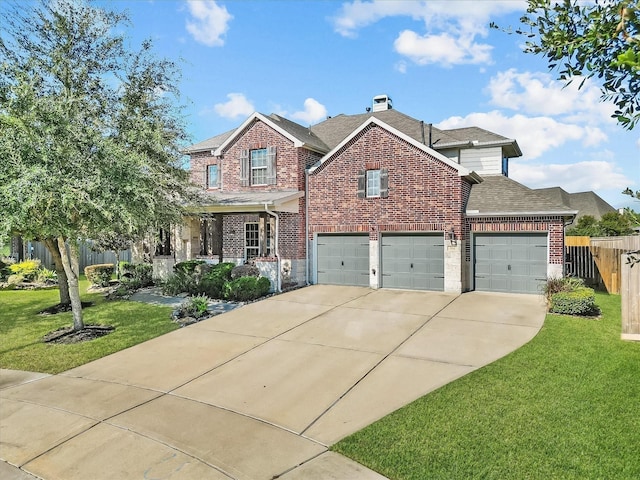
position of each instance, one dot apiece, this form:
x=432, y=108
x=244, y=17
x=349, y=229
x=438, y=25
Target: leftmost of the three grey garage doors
x=343, y=260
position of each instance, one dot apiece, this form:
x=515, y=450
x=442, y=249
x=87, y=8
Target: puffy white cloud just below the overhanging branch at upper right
x=538, y=93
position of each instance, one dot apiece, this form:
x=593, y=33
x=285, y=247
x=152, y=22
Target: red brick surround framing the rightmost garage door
x=552, y=224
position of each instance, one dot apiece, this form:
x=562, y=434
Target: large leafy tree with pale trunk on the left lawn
x=91, y=130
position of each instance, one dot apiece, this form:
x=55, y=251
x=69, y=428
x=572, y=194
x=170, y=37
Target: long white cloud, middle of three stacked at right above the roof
x=535, y=135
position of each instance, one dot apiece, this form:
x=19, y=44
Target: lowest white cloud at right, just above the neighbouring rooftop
x=574, y=177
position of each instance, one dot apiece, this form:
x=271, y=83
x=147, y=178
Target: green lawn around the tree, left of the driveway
x=21, y=329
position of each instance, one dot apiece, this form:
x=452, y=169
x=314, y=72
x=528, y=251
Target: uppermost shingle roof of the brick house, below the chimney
x=325, y=136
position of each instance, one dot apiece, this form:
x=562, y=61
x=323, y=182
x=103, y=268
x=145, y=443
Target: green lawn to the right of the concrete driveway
x=564, y=406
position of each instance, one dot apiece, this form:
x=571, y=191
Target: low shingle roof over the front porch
x=281, y=200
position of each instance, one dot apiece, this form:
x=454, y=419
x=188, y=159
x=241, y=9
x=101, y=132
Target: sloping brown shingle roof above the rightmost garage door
x=498, y=195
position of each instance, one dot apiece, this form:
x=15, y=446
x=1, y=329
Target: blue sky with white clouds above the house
x=438, y=60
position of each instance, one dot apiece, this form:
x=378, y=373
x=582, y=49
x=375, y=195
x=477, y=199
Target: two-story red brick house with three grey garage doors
x=378, y=199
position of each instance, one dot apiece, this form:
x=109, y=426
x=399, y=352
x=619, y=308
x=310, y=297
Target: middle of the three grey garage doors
x=413, y=261
